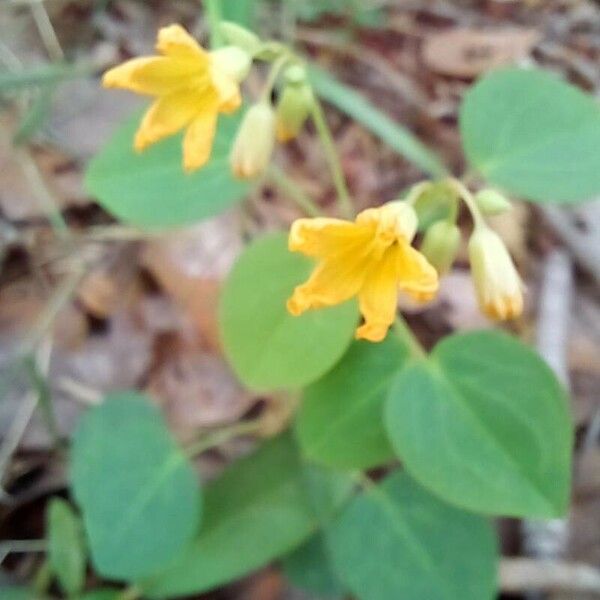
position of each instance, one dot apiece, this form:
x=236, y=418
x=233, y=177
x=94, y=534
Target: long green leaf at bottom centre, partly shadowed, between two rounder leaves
x=260, y=508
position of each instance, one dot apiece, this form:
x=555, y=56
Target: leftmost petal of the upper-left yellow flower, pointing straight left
x=155, y=75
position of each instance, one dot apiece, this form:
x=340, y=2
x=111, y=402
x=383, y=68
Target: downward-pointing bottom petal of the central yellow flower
x=378, y=298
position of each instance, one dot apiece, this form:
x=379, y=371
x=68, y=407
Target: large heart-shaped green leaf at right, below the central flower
x=485, y=425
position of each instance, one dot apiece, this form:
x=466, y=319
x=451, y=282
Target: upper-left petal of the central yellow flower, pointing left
x=322, y=237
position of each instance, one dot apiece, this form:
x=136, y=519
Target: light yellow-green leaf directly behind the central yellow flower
x=268, y=347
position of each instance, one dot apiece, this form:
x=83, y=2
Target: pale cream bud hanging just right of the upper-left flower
x=253, y=145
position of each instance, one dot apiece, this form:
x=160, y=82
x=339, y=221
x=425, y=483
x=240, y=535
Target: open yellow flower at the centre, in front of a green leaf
x=371, y=258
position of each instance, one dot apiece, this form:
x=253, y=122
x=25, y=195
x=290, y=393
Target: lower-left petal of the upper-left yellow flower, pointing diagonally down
x=165, y=117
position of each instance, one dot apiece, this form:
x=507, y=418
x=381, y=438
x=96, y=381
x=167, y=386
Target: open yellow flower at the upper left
x=191, y=86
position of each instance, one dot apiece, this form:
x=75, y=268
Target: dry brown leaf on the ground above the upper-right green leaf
x=469, y=52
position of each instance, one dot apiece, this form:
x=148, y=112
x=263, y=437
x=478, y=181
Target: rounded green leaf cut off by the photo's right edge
x=534, y=135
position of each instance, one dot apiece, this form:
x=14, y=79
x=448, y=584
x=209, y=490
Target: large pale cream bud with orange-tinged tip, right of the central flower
x=498, y=286
